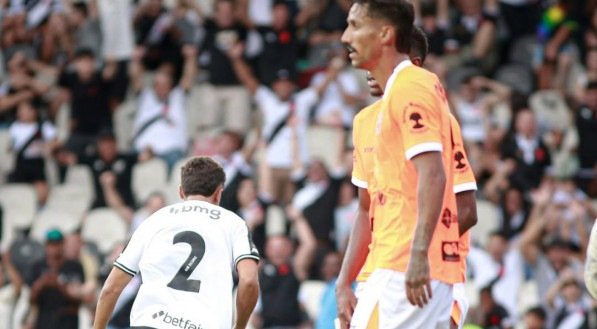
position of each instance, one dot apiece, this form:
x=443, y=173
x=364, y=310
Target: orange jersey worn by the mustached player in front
x=414, y=118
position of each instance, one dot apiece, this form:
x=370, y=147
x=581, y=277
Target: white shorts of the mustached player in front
x=383, y=305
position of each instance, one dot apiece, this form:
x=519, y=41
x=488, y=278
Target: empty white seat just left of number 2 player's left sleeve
x=105, y=228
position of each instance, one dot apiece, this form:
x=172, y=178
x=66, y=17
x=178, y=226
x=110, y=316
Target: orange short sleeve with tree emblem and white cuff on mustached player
x=420, y=117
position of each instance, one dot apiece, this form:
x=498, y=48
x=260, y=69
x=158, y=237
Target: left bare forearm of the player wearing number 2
x=115, y=283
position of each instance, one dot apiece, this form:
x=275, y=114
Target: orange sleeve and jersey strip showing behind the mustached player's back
x=464, y=180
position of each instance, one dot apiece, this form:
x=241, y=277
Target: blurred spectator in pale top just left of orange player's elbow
x=344, y=215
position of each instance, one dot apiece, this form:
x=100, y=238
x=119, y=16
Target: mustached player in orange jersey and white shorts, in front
x=415, y=248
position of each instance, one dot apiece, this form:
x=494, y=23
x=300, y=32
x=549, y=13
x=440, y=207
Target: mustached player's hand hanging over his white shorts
x=418, y=282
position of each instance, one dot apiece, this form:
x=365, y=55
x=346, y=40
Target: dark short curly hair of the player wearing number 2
x=201, y=176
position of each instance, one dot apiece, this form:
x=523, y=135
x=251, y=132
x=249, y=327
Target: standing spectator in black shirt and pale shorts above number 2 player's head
x=224, y=99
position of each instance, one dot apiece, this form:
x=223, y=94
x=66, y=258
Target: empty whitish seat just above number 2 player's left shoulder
x=148, y=177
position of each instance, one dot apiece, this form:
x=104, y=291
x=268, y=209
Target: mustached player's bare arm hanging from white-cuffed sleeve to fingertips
x=430, y=194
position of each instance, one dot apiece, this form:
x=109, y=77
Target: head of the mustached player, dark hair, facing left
x=375, y=25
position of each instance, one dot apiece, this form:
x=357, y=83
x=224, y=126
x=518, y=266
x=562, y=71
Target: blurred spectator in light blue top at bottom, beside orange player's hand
x=327, y=310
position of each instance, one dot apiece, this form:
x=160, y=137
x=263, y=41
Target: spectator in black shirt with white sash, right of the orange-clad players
x=526, y=148
